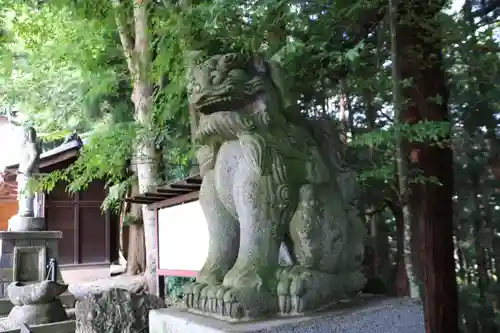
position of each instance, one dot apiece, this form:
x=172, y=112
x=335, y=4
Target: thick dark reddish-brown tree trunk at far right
x=420, y=62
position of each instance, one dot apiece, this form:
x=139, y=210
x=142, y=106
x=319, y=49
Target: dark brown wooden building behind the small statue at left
x=90, y=236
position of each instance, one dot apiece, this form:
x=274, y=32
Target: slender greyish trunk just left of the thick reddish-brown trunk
x=401, y=156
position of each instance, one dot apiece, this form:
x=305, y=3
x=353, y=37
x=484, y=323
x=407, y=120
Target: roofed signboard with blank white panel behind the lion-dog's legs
x=181, y=229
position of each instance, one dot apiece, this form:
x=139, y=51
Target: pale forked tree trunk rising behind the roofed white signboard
x=138, y=56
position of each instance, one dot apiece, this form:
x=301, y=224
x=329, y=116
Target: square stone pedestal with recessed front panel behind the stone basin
x=24, y=256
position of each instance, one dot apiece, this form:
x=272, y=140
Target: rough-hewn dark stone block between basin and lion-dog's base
x=115, y=311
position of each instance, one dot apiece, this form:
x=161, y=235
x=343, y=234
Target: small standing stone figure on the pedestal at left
x=28, y=166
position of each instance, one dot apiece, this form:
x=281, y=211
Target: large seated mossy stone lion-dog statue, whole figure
x=270, y=176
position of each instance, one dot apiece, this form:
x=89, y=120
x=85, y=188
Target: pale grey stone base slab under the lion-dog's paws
x=374, y=315
